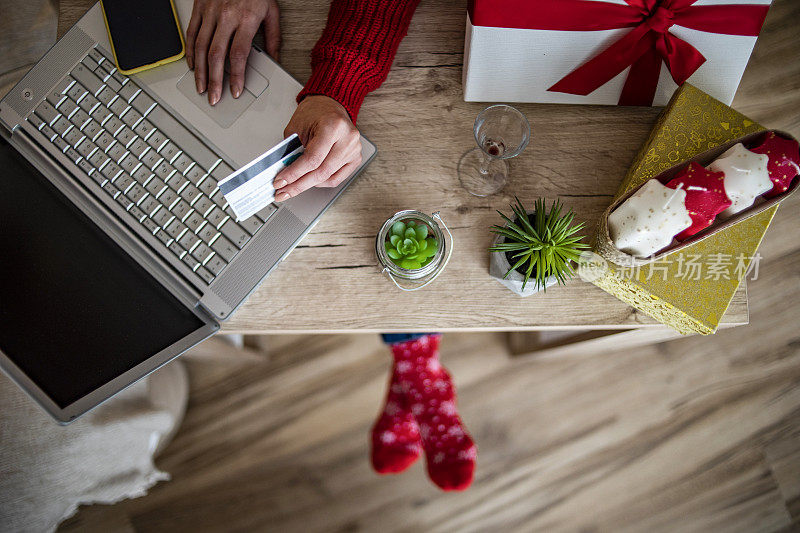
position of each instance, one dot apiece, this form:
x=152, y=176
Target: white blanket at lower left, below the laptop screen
x=47, y=470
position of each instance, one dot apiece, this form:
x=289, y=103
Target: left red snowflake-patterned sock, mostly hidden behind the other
x=396, y=443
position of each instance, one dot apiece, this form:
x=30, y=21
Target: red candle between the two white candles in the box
x=705, y=196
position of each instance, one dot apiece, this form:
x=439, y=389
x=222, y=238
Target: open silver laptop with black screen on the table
x=118, y=250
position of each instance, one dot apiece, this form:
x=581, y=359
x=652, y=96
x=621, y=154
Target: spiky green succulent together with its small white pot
x=535, y=249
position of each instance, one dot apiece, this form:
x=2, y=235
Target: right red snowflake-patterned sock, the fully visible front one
x=430, y=393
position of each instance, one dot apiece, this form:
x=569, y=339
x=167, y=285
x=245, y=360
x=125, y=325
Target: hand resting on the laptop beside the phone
x=212, y=26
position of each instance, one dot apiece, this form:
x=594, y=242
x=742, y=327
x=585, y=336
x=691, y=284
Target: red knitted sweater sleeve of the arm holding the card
x=356, y=50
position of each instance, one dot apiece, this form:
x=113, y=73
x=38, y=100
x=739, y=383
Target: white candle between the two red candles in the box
x=746, y=177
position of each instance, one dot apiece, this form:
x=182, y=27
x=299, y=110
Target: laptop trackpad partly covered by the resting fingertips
x=228, y=109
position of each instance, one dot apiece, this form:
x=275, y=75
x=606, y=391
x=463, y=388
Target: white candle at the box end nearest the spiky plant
x=649, y=220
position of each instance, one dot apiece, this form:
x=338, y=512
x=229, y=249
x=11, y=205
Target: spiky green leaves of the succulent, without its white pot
x=546, y=242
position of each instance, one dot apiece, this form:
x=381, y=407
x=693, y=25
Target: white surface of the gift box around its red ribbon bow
x=509, y=64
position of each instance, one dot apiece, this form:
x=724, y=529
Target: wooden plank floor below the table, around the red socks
x=698, y=434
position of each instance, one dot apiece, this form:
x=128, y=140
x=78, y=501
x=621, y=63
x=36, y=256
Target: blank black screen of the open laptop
x=75, y=310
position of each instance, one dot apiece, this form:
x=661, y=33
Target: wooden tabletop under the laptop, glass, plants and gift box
x=421, y=125
